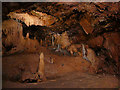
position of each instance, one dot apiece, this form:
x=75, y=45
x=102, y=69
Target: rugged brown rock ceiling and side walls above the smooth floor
x=94, y=24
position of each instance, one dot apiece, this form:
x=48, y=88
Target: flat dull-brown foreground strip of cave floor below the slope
x=70, y=80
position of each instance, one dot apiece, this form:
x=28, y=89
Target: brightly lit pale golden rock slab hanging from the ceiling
x=39, y=18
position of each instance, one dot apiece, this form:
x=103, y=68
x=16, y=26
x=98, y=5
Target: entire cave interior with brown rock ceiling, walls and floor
x=47, y=41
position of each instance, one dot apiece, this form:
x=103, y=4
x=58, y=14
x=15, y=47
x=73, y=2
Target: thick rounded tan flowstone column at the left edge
x=12, y=36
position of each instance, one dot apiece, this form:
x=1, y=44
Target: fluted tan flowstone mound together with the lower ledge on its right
x=13, y=40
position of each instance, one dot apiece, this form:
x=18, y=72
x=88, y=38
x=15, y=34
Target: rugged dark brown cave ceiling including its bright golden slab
x=91, y=17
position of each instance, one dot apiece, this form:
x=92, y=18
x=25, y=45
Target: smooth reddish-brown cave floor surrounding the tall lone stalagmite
x=65, y=72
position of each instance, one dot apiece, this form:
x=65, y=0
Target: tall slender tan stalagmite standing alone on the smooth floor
x=41, y=67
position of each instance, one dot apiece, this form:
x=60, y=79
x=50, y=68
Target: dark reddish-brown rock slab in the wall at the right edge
x=112, y=44
